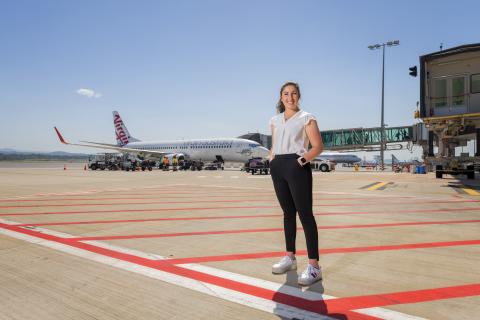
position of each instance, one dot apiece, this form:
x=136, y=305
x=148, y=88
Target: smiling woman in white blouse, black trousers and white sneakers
x=292, y=130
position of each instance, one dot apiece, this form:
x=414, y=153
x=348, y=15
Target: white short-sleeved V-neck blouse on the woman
x=290, y=136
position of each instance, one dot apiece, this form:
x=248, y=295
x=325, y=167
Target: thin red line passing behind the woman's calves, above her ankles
x=202, y=233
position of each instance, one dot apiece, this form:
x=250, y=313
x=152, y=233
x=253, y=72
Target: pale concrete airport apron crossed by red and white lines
x=78, y=244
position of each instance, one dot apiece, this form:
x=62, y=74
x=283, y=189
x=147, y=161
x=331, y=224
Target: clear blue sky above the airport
x=200, y=69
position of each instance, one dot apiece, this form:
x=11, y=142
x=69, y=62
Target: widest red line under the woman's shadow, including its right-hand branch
x=335, y=307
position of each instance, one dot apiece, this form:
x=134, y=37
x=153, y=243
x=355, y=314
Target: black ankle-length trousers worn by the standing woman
x=293, y=186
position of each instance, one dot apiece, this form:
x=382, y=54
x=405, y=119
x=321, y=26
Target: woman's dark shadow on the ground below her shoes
x=296, y=302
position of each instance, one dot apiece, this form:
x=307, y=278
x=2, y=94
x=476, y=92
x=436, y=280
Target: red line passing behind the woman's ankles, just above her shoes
x=260, y=255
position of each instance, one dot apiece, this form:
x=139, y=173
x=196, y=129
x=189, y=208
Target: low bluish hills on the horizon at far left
x=13, y=154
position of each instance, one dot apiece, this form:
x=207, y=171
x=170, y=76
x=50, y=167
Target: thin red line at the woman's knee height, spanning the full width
x=238, y=207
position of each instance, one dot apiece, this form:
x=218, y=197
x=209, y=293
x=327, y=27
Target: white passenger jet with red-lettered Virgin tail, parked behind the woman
x=221, y=150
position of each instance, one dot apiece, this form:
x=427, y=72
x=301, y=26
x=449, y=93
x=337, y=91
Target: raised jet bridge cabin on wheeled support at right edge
x=449, y=109
